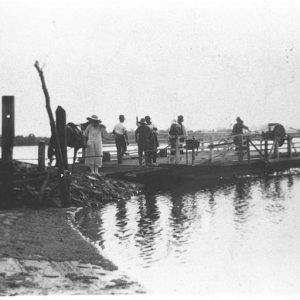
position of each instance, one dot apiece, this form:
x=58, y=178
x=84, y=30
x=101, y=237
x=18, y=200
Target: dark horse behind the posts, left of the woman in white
x=75, y=139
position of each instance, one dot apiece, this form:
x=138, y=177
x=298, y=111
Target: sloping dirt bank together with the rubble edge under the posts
x=42, y=253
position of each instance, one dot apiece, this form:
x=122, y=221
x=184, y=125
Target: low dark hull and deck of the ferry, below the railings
x=201, y=168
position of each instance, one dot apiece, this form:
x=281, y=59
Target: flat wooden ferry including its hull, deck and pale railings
x=214, y=159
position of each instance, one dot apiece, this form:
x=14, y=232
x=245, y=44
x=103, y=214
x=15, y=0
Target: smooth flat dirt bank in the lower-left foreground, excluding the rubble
x=40, y=253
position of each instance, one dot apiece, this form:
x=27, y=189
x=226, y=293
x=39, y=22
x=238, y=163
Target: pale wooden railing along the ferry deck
x=241, y=148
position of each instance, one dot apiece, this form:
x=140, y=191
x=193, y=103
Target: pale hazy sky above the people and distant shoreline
x=208, y=60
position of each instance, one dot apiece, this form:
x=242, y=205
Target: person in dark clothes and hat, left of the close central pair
x=143, y=138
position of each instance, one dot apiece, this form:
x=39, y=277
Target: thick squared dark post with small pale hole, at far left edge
x=8, y=135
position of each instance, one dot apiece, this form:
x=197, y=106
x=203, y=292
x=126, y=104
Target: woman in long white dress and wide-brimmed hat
x=93, y=134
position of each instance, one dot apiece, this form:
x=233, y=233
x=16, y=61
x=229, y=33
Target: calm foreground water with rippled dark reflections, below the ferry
x=237, y=236
